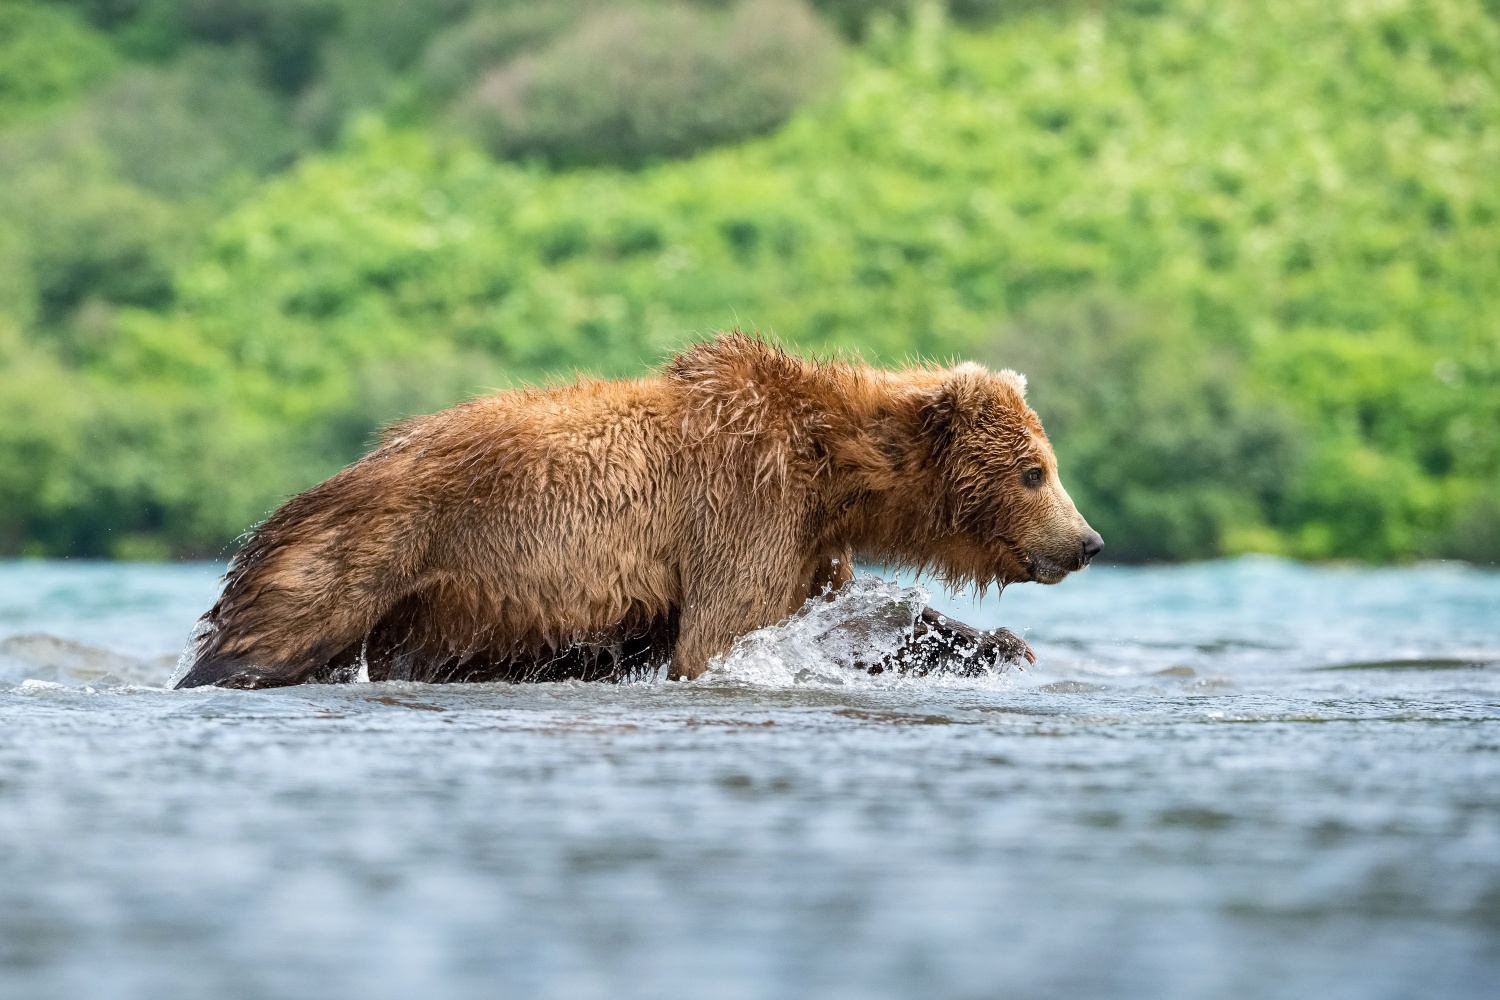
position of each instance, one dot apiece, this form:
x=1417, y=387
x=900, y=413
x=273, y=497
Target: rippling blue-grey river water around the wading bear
x=1244, y=779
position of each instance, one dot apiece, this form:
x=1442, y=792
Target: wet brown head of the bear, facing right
x=1003, y=509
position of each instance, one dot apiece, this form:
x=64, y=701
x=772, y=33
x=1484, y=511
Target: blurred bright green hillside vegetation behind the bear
x=1249, y=251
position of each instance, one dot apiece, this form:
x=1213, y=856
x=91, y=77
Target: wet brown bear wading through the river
x=607, y=527
